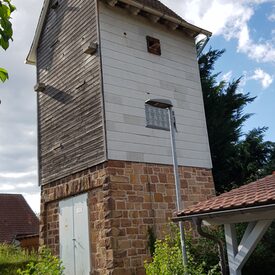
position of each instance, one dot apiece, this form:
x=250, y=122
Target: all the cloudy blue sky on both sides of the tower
x=245, y=28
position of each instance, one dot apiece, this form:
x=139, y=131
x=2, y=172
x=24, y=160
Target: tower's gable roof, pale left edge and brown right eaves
x=154, y=7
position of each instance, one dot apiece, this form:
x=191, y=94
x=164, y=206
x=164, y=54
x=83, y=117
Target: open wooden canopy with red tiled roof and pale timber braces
x=253, y=203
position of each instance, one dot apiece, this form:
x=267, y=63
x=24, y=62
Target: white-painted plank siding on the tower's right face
x=131, y=75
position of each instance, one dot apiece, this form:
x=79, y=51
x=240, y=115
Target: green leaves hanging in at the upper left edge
x=6, y=8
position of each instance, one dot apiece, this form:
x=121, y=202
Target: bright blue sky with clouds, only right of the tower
x=246, y=30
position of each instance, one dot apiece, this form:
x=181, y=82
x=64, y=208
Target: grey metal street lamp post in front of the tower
x=167, y=104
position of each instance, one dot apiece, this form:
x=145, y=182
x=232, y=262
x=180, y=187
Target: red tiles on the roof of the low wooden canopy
x=260, y=192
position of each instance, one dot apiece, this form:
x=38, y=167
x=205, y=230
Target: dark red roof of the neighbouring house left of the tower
x=16, y=217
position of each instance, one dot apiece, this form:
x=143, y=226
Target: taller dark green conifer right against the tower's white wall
x=224, y=107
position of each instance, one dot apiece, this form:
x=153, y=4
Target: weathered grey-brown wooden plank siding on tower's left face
x=71, y=107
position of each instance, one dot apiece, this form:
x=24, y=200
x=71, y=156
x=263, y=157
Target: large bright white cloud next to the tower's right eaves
x=229, y=18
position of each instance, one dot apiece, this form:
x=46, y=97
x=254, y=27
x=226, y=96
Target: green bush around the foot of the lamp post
x=167, y=259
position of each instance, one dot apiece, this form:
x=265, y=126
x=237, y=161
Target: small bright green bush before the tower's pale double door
x=47, y=264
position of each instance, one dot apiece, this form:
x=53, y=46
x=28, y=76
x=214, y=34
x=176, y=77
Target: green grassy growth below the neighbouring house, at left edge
x=12, y=258
